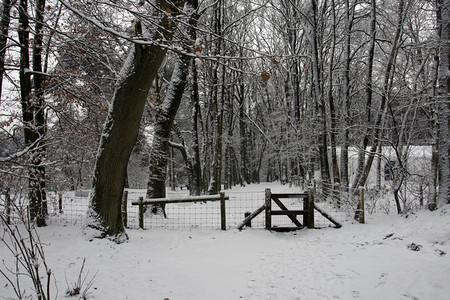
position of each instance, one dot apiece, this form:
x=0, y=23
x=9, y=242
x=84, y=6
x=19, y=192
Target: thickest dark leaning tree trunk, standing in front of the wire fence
x=122, y=126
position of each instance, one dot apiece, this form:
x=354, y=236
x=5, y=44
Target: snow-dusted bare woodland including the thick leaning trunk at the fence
x=104, y=95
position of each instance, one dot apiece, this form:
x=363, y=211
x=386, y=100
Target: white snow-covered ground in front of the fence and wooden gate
x=358, y=261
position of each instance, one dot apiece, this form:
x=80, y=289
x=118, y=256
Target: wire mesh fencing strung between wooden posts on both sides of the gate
x=70, y=208
